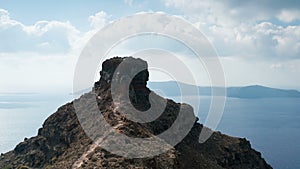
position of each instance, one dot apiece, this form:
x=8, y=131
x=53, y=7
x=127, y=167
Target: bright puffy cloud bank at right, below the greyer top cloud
x=262, y=40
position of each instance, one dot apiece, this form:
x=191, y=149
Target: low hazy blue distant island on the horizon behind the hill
x=171, y=88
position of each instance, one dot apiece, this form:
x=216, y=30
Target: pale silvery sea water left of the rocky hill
x=21, y=115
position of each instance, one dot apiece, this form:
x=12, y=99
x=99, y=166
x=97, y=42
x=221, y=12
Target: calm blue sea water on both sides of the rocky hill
x=272, y=125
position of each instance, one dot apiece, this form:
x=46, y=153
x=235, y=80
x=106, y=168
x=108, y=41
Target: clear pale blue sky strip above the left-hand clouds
x=77, y=11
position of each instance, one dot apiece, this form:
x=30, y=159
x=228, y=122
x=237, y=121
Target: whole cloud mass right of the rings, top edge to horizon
x=259, y=49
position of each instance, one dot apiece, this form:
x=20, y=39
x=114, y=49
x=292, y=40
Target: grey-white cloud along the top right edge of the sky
x=235, y=10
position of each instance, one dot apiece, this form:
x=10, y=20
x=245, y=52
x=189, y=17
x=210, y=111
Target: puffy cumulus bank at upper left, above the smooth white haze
x=45, y=36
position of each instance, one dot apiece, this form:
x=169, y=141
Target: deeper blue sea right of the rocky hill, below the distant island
x=271, y=124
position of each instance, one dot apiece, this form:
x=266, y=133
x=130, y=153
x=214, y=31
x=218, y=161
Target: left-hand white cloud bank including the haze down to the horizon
x=42, y=56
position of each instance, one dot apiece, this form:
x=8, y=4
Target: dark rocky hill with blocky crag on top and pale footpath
x=62, y=142
